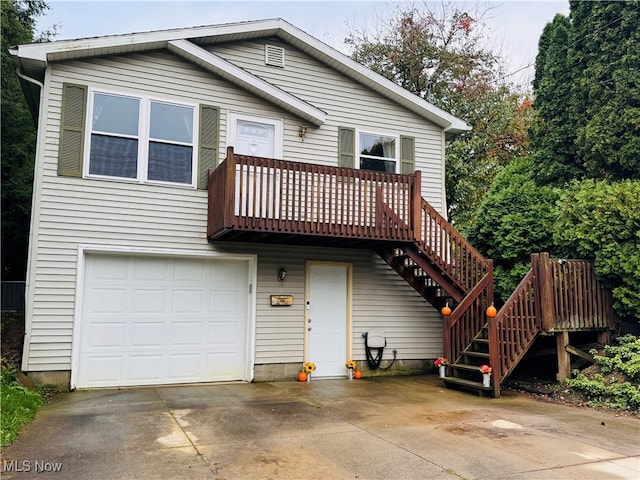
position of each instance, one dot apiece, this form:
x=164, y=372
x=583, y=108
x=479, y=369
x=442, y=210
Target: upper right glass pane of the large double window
x=171, y=122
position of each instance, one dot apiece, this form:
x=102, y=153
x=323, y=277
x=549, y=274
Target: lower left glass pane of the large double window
x=113, y=156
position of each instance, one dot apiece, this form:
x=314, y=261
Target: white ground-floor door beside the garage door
x=327, y=319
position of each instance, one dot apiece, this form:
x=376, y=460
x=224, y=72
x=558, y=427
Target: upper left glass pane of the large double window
x=114, y=114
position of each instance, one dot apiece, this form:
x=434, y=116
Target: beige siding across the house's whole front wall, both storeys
x=72, y=211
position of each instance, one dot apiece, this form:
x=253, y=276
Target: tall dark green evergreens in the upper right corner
x=587, y=89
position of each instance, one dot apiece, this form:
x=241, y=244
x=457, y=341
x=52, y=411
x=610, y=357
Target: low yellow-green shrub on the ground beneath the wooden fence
x=617, y=385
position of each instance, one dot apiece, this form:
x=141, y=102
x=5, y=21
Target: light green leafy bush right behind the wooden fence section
x=600, y=221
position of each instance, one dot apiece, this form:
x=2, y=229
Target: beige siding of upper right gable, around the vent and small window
x=347, y=104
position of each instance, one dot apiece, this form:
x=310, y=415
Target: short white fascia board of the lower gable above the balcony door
x=244, y=79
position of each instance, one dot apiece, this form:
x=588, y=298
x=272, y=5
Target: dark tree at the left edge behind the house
x=18, y=139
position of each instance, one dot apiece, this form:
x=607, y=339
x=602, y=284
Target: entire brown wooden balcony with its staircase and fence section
x=286, y=202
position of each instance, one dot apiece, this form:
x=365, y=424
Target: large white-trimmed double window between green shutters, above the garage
x=141, y=139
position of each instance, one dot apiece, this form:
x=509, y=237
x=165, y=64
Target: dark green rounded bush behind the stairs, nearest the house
x=515, y=219
